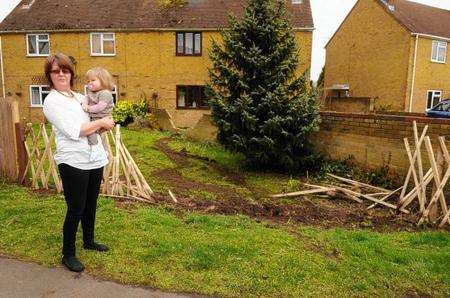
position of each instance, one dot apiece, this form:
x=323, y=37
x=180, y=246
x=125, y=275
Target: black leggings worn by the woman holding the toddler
x=81, y=189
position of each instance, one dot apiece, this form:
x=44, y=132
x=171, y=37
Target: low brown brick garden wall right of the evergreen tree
x=375, y=139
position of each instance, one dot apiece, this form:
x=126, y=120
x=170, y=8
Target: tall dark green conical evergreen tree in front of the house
x=261, y=107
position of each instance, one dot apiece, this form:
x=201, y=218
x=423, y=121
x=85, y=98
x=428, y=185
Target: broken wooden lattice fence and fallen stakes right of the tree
x=425, y=188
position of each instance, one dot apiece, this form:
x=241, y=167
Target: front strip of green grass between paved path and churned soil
x=230, y=255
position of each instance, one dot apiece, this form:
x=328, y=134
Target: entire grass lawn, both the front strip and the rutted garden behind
x=186, y=248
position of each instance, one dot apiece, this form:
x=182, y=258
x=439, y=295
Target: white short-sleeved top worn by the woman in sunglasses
x=66, y=116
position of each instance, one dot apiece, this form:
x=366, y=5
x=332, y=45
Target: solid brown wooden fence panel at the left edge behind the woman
x=13, y=157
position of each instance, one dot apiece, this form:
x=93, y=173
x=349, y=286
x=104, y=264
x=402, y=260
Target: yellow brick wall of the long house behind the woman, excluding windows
x=145, y=63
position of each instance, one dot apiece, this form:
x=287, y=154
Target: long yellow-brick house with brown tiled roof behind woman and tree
x=154, y=51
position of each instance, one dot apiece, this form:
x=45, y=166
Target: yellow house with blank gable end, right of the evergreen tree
x=393, y=51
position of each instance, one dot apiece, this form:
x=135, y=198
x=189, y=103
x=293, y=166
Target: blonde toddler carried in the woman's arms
x=99, y=100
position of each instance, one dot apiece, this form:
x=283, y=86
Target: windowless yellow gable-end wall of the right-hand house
x=370, y=52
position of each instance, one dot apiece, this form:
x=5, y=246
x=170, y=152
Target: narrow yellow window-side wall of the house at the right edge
x=429, y=75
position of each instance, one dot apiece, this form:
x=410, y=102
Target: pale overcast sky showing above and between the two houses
x=327, y=14
